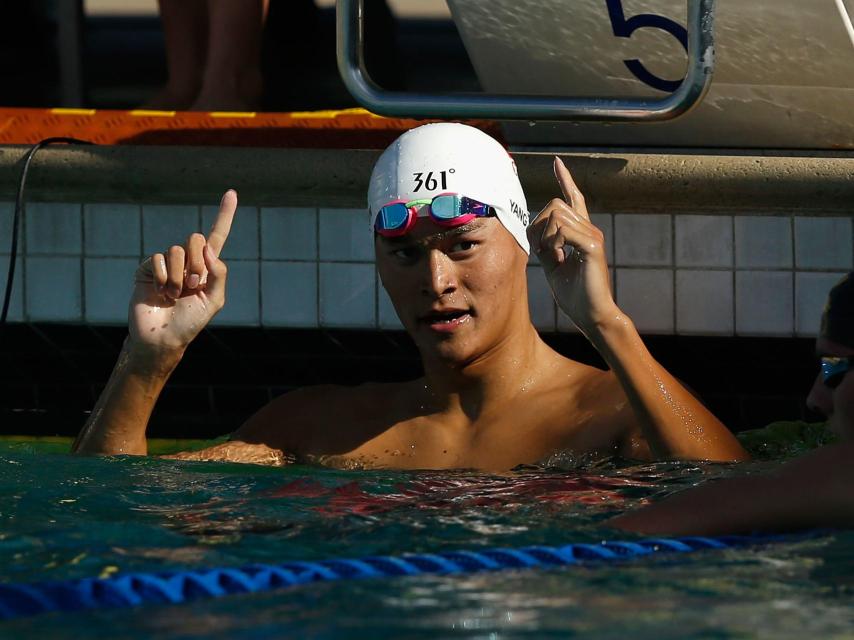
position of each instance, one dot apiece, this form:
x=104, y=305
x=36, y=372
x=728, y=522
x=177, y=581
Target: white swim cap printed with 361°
x=448, y=157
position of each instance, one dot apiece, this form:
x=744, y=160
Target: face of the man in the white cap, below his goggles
x=459, y=291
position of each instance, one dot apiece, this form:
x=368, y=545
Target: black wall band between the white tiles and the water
x=52, y=374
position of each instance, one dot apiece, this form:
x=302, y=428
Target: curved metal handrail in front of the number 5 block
x=351, y=66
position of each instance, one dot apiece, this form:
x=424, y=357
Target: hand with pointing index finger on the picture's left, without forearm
x=178, y=292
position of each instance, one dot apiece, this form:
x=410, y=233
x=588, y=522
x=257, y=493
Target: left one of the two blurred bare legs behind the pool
x=185, y=31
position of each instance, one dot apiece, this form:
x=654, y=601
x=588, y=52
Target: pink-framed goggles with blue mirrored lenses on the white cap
x=447, y=209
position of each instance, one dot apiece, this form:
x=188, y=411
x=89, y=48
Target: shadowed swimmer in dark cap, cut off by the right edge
x=813, y=491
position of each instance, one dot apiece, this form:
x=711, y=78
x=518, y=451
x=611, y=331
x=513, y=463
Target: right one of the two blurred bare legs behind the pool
x=232, y=78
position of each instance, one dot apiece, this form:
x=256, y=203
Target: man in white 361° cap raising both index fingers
x=452, y=238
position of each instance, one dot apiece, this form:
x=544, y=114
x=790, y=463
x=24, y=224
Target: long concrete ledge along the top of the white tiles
x=618, y=182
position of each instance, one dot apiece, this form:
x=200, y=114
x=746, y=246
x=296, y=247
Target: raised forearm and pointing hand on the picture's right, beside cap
x=571, y=249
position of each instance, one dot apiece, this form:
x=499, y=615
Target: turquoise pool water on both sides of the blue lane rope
x=64, y=517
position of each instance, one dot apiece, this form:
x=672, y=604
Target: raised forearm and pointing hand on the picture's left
x=175, y=295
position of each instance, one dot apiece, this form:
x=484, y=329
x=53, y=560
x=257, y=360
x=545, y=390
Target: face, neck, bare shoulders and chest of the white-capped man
x=494, y=394
